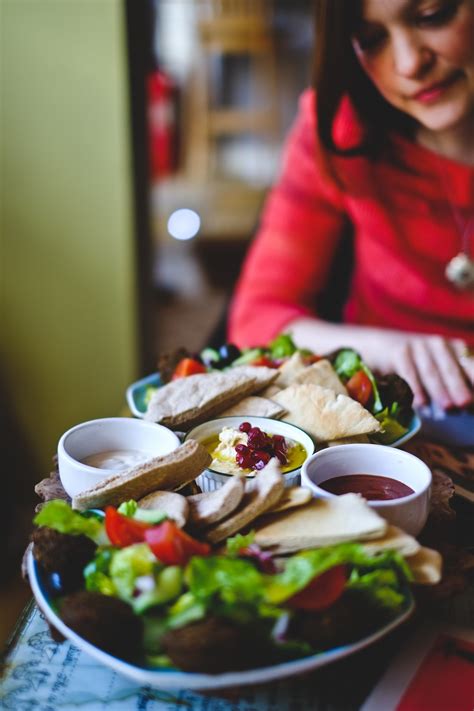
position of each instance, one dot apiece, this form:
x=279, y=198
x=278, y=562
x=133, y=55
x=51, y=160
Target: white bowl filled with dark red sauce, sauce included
x=395, y=483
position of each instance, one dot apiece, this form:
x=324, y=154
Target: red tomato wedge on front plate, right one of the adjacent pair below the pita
x=172, y=546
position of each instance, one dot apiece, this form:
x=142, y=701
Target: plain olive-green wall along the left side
x=68, y=303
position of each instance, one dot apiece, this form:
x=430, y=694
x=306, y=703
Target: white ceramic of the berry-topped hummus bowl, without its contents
x=210, y=480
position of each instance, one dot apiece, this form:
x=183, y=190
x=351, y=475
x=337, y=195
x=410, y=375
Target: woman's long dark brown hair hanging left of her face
x=337, y=73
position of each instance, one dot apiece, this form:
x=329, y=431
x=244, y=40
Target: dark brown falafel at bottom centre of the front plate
x=216, y=645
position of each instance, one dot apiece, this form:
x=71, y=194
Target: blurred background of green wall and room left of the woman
x=138, y=141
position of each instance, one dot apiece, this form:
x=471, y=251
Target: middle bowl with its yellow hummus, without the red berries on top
x=299, y=443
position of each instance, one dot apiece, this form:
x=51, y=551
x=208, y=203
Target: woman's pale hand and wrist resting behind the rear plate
x=437, y=369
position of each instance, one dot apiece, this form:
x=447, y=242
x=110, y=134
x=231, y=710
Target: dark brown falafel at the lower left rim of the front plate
x=105, y=621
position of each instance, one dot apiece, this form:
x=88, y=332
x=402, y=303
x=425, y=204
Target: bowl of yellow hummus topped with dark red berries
x=230, y=443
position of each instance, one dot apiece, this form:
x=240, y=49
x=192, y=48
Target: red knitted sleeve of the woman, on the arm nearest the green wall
x=288, y=262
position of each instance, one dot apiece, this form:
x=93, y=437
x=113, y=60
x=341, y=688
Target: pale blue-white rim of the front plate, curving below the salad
x=174, y=679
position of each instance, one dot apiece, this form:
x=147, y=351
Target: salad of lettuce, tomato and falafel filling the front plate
x=134, y=584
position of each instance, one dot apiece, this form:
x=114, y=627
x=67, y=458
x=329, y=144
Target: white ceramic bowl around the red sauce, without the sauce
x=409, y=513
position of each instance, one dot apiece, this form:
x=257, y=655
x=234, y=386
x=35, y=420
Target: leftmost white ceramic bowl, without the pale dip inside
x=99, y=436
